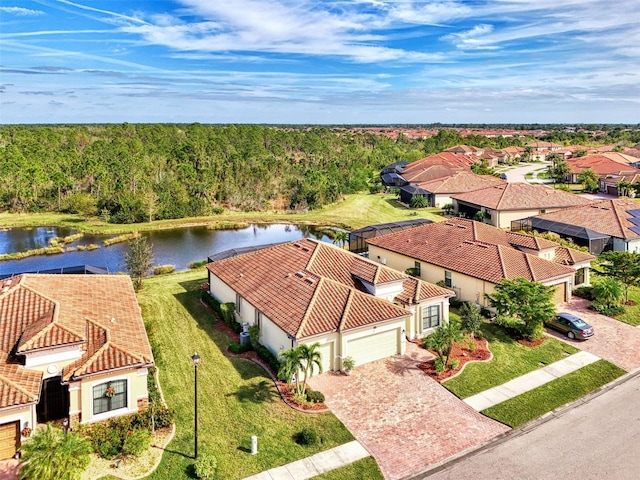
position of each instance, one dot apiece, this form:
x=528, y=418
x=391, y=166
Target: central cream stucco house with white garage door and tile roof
x=308, y=291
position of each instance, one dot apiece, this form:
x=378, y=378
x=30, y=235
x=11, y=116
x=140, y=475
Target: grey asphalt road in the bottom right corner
x=598, y=439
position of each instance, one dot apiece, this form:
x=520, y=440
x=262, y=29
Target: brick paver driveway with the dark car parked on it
x=613, y=340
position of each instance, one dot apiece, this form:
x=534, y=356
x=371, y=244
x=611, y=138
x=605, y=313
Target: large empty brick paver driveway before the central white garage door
x=406, y=420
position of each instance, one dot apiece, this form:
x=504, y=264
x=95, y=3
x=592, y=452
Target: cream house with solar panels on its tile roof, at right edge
x=600, y=226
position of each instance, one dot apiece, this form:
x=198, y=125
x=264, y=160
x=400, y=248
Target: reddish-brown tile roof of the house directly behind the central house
x=474, y=249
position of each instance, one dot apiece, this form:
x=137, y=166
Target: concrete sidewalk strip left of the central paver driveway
x=315, y=464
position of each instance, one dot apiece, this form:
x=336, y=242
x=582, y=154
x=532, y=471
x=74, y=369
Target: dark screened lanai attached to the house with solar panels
x=596, y=242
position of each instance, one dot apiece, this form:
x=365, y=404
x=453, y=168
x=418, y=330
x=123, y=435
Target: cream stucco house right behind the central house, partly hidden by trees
x=472, y=258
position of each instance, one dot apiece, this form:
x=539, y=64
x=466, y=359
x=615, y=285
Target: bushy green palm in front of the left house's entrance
x=51, y=455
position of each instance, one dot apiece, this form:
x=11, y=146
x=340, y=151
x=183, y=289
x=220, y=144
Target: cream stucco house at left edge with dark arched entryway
x=72, y=346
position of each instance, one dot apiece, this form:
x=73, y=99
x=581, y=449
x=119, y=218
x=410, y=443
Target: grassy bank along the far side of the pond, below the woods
x=354, y=211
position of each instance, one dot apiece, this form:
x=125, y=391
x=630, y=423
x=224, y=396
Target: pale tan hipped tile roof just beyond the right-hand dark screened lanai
x=521, y=196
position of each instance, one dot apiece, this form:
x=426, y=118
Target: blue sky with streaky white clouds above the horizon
x=320, y=61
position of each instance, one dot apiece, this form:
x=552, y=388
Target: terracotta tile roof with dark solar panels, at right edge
x=606, y=216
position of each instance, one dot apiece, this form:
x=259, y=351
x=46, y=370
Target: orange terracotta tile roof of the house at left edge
x=96, y=311
